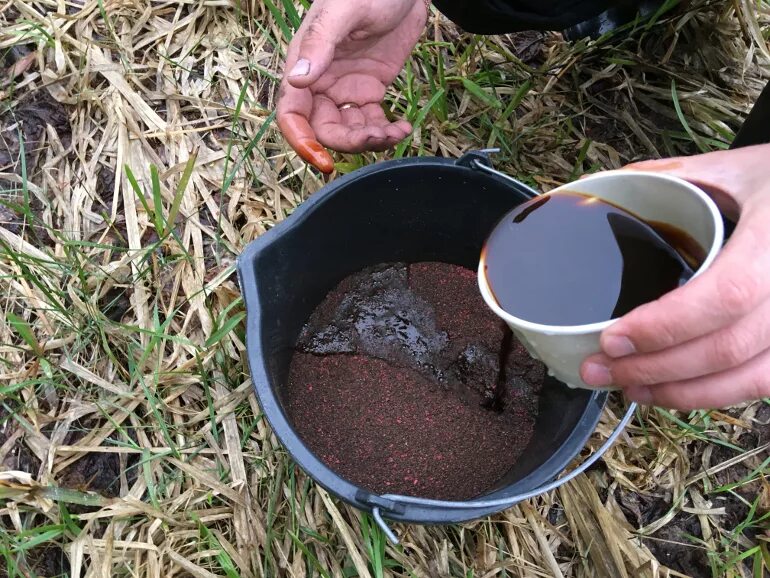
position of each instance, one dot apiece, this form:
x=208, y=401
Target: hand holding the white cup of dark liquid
x=706, y=344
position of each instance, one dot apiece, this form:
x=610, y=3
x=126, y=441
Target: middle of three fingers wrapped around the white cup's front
x=713, y=353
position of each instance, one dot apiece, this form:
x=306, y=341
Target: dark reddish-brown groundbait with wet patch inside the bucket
x=393, y=384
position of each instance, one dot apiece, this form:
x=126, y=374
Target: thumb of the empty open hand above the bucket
x=317, y=39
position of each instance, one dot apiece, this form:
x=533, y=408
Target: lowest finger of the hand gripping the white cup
x=748, y=382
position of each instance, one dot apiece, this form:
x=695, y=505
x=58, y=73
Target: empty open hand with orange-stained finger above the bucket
x=339, y=64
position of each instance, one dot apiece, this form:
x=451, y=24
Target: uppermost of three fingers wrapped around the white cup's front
x=737, y=283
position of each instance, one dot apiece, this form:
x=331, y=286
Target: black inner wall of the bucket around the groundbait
x=411, y=211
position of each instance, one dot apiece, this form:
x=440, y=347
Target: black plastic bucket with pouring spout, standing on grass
x=423, y=209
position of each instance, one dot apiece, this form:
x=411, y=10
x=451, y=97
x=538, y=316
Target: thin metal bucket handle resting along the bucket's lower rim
x=503, y=503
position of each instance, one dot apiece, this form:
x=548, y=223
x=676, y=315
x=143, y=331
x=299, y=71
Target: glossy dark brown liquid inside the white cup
x=572, y=259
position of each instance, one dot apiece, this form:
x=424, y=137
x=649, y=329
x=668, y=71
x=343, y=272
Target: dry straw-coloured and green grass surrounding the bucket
x=139, y=155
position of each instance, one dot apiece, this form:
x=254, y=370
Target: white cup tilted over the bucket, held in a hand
x=651, y=196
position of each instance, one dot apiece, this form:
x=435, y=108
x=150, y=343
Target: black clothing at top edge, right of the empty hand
x=504, y=16
